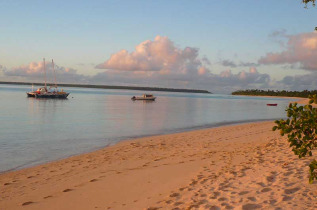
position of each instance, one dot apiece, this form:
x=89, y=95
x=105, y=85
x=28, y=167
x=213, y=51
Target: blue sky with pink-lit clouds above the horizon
x=220, y=46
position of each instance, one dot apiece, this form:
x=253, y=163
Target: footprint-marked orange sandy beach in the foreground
x=246, y=166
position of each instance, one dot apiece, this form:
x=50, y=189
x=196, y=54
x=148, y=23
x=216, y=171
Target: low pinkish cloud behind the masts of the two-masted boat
x=35, y=71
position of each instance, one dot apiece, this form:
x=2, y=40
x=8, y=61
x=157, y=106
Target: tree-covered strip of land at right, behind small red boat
x=256, y=92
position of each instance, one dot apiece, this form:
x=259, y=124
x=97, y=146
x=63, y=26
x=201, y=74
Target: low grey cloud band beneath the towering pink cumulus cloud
x=224, y=82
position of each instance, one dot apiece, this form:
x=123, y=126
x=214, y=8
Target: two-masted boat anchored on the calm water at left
x=44, y=92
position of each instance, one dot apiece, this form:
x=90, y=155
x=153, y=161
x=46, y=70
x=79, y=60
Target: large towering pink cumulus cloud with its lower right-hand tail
x=160, y=60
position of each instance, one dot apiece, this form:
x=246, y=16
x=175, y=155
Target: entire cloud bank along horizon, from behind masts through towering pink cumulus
x=154, y=63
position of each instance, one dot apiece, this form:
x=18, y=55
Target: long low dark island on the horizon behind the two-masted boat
x=114, y=87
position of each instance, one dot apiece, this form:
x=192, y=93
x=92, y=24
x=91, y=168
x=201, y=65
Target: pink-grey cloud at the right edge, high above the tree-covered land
x=300, y=49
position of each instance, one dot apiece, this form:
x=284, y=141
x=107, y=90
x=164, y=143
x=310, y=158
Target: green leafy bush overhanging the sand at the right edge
x=301, y=130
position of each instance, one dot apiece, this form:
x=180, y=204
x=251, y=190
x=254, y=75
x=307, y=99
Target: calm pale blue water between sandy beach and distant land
x=34, y=131
